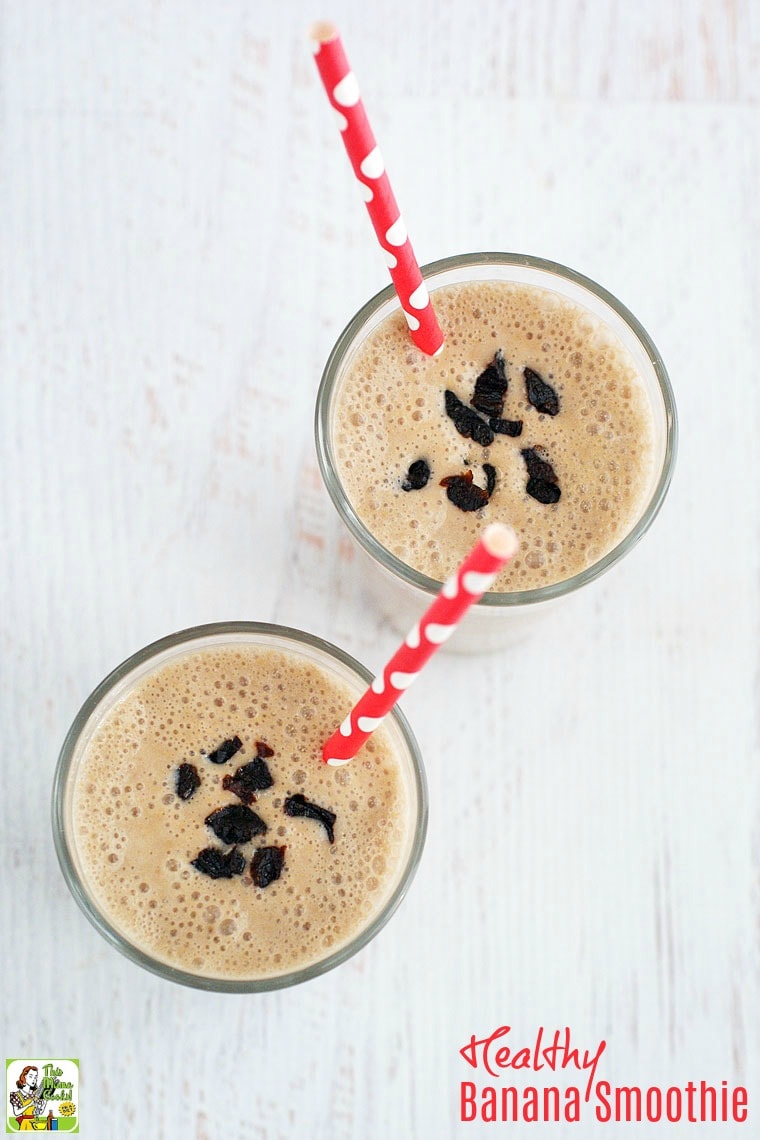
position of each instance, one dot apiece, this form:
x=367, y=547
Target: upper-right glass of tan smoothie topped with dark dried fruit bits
x=549, y=409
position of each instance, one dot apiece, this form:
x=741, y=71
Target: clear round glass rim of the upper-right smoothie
x=390, y=561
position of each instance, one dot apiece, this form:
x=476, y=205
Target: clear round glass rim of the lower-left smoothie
x=263, y=633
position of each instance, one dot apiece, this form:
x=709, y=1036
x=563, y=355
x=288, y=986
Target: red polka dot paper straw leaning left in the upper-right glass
x=370, y=169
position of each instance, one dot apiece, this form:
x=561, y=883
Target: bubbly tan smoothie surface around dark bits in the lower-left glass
x=136, y=838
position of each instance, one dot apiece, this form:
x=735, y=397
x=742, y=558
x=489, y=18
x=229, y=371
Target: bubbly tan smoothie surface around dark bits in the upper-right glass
x=390, y=413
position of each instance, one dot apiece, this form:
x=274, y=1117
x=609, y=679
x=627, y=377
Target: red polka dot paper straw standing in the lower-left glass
x=497, y=545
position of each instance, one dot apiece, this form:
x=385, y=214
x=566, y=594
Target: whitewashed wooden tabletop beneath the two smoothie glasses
x=182, y=242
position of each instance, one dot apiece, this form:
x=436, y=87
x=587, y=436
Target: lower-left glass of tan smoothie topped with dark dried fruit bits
x=168, y=770
